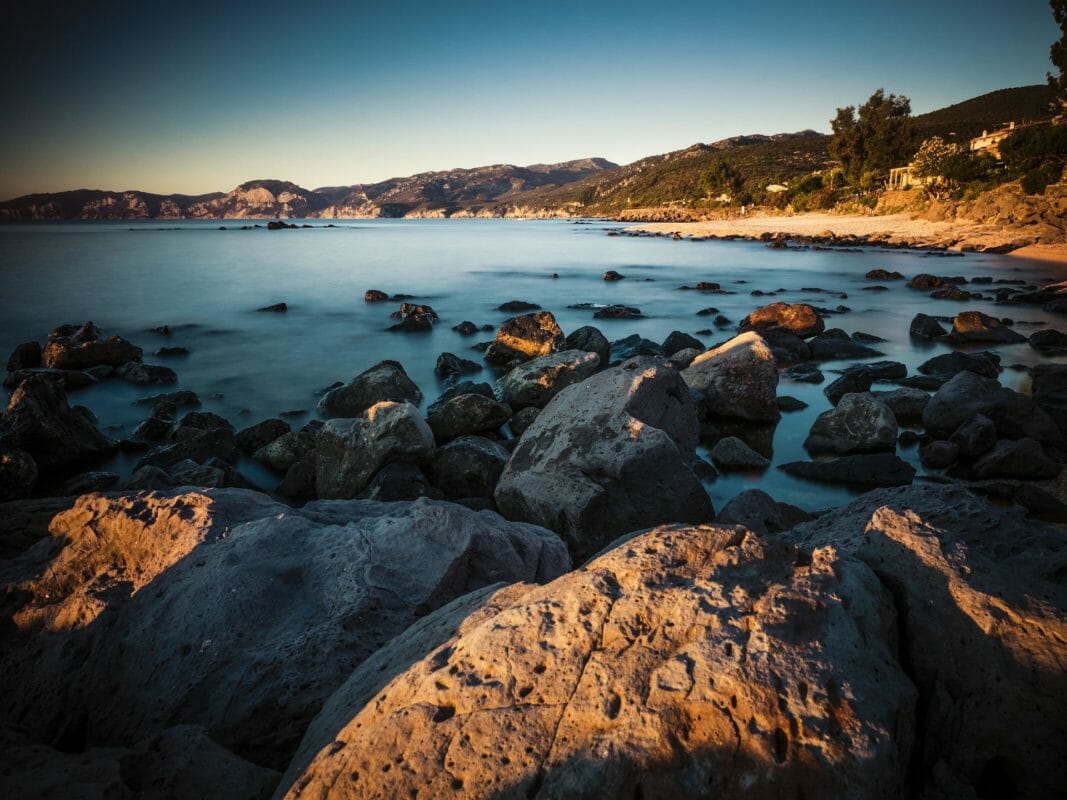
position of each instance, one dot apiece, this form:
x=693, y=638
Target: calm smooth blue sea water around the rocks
x=206, y=285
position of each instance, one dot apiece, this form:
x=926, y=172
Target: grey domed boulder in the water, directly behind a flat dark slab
x=858, y=424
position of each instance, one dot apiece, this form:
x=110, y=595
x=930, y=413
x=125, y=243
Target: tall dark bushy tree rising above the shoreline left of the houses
x=877, y=139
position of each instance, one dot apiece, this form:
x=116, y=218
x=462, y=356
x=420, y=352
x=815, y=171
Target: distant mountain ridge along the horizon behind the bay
x=592, y=186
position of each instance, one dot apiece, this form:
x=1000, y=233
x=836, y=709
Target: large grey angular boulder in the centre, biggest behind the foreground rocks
x=608, y=457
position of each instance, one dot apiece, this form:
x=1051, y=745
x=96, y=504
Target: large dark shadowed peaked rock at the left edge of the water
x=56, y=436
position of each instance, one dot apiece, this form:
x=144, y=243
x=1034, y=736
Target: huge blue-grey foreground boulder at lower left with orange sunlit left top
x=246, y=597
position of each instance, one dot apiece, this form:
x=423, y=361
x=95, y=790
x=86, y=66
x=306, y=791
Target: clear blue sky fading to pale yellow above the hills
x=196, y=98
